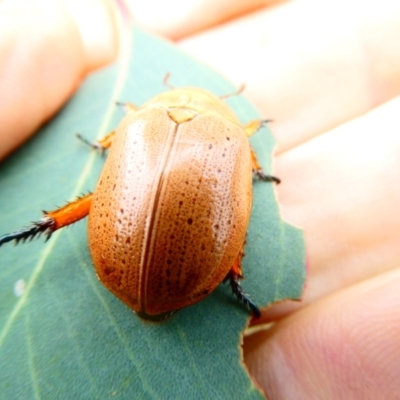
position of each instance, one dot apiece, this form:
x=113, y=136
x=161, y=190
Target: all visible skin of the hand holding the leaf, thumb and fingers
x=327, y=74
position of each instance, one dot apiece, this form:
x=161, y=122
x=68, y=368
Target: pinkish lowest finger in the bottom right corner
x=343, y=347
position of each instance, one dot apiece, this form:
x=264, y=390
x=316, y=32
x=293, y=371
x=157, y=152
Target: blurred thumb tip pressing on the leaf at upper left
x=45, y=50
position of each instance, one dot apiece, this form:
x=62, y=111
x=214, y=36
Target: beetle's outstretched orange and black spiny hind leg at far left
x=52, y=220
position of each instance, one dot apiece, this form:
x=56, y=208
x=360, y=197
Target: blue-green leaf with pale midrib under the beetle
x=66, y=336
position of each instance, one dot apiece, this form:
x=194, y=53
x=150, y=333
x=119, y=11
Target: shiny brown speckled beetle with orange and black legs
x=169, y=216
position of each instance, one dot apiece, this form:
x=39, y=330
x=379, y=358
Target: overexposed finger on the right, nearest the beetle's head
x=309, y=65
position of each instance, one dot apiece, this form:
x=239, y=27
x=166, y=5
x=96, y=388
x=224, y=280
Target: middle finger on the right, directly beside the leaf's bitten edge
x=341, y=188
